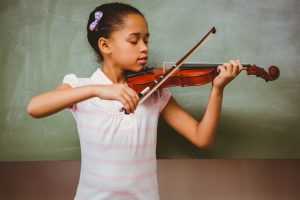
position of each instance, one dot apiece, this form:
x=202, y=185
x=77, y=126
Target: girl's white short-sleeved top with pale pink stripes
x=118, y=151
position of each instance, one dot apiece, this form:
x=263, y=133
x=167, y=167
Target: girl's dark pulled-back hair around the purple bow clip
x=112, y=20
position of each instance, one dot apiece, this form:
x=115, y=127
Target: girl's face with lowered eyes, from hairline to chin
x=129, y=45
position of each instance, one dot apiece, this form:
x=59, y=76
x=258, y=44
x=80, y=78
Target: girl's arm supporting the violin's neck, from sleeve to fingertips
x=202, y=132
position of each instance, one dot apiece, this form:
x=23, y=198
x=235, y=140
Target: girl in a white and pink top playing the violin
x=118, y=151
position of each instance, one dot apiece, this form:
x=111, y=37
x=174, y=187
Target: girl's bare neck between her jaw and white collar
x=114, y=73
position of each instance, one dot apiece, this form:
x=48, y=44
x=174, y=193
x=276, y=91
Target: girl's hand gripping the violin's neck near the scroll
x=227, y=72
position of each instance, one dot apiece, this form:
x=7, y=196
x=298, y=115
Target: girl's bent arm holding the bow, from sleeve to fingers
x=65, y=96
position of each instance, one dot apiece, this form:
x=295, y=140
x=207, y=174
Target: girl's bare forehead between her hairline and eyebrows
x=133, y=23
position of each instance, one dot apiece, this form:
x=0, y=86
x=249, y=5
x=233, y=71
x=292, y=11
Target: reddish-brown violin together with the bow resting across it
x=147, y=81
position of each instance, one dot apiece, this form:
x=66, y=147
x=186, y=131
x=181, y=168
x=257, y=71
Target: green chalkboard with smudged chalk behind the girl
x=43, y=40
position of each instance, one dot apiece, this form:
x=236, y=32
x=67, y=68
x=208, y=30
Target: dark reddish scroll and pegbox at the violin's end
x=272, y=74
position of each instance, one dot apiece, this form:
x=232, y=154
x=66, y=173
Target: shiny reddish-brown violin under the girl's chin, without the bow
x=190, y=75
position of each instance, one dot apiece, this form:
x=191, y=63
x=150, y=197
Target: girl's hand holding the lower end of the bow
x=121, y=92
